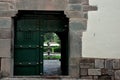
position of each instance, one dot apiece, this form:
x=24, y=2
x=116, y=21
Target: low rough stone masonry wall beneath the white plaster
x=100, y=69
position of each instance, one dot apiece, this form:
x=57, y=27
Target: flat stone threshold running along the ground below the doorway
x=42, y=78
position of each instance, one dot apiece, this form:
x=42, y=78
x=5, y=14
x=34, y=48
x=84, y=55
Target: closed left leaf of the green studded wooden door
x=28, y=55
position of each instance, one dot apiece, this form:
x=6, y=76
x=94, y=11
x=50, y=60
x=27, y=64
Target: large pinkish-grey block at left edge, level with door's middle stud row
x=5, y=45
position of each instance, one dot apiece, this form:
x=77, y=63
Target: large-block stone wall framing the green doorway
x=75, y=10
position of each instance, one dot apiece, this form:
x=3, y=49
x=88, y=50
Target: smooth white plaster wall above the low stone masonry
x=102, y=38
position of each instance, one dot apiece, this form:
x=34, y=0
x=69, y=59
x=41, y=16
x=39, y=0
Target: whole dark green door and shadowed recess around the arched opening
x=30, y=26
